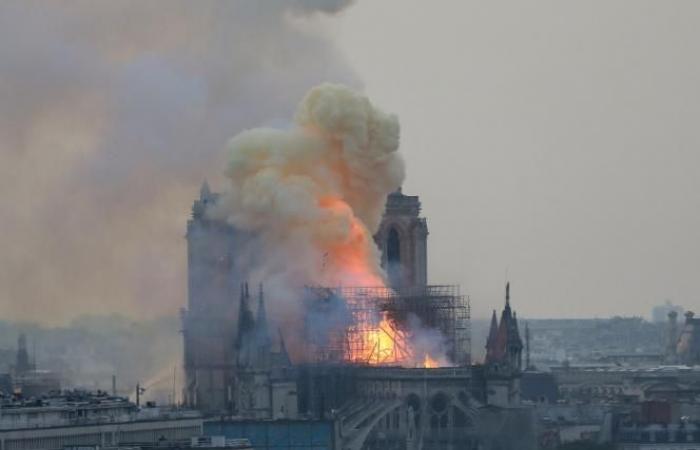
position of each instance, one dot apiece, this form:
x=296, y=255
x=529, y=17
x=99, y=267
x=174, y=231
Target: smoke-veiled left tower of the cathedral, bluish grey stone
x=213, y=281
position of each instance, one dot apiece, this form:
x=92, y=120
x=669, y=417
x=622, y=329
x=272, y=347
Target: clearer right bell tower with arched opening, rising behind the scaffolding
x=403, y=241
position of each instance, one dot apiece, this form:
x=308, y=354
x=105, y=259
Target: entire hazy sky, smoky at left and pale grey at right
x=556, y=141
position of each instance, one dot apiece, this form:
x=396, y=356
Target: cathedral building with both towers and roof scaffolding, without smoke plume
x=237, y=368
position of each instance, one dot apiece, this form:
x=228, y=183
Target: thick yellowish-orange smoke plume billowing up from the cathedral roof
x=315, y=193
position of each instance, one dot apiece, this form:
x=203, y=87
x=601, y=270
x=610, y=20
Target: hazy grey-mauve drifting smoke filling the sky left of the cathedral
x=111, y=114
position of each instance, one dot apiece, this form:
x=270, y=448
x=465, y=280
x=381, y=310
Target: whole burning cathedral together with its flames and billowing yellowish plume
x=364, y=340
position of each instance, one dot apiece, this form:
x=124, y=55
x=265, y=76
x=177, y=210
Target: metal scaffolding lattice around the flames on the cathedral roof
x=374, y=325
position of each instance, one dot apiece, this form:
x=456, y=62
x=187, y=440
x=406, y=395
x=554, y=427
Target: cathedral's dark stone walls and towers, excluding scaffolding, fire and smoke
x=232, y=367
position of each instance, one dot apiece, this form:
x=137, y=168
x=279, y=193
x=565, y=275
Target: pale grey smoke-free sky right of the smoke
x=557, y=141
